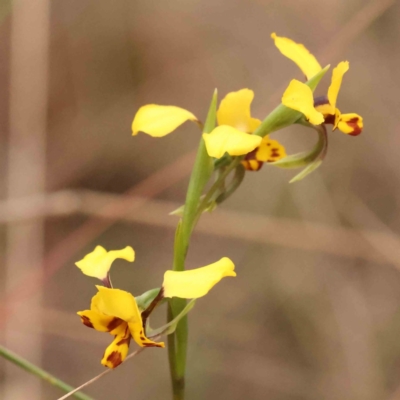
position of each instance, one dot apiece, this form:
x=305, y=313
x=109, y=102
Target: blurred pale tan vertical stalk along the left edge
x=26, y=172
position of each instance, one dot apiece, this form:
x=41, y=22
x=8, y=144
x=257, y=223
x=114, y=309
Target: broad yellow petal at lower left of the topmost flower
x=299, y=97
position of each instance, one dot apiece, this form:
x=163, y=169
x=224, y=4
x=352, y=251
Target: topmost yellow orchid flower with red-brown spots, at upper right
x=298, y=98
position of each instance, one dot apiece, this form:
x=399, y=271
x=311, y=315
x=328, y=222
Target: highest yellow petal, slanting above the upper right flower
x=298, y=54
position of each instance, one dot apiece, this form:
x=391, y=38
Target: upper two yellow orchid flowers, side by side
x=239, y=134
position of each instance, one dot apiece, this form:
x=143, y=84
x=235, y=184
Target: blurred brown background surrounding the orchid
x=315, y=310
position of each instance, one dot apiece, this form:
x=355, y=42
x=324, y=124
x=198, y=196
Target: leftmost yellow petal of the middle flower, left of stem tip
x=158, y=121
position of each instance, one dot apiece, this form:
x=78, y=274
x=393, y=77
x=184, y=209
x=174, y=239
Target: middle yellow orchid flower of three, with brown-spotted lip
x=233, y=135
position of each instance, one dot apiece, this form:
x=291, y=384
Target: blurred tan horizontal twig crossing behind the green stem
x=381, y=246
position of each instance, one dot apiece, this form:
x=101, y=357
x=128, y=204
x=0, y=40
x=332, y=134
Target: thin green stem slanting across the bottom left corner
x=33, y=369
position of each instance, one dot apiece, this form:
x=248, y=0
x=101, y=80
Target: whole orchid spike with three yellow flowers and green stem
x=232, y=142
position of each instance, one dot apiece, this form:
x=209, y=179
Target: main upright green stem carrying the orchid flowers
x=201, y=173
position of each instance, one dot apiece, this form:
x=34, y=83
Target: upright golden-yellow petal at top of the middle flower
x=234, y=111
